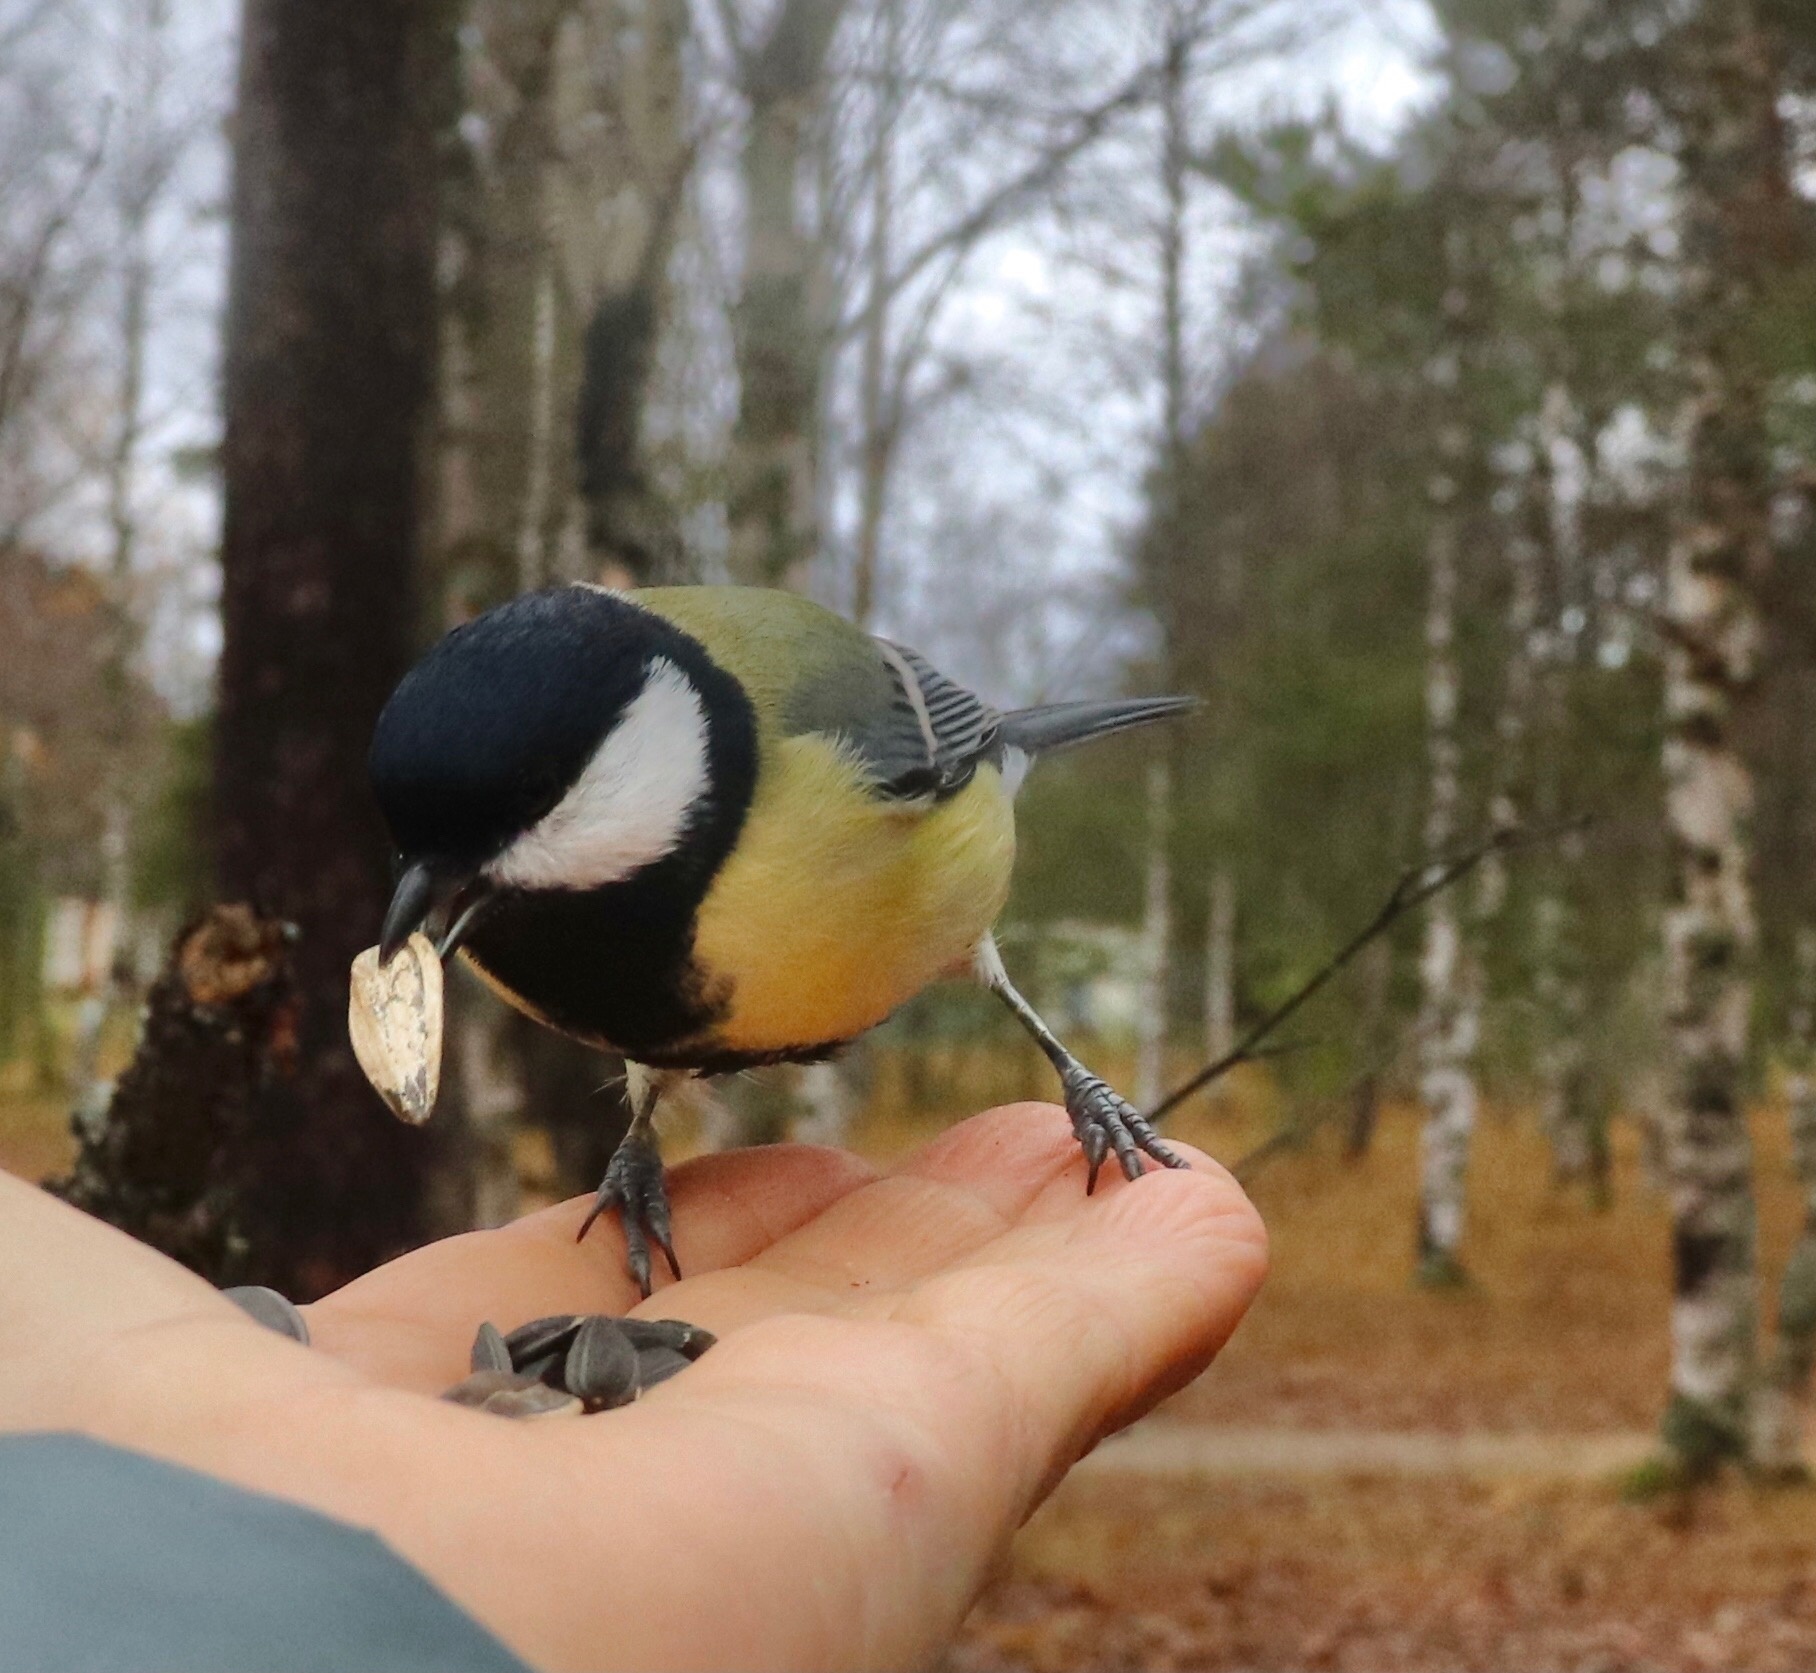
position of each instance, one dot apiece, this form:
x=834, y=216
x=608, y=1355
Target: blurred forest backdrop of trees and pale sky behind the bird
x=1430, y=388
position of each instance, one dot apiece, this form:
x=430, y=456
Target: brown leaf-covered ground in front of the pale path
x=1372, y=1576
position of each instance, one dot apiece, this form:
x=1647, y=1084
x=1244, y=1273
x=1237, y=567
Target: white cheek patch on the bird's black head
x=631, y=806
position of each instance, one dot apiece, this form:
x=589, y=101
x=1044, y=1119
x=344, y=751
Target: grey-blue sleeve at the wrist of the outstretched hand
x=115, y=1563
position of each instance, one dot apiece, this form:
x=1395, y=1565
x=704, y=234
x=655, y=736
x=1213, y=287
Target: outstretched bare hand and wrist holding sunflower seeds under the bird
x=907, y=1367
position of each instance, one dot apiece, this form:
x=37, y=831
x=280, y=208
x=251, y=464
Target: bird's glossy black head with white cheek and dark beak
x=560, y=742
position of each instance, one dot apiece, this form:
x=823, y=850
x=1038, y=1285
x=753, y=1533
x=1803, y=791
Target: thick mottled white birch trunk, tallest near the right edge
x=1735, y=195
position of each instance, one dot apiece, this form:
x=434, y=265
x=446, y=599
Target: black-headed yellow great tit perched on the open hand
x=711, y=829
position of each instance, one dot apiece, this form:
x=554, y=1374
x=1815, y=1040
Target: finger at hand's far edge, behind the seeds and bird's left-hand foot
x=413, y=1322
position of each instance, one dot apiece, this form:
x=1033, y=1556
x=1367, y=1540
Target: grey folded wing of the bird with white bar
x=918, y=733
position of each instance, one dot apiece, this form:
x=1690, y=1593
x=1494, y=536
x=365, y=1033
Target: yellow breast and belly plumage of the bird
x=838, y=907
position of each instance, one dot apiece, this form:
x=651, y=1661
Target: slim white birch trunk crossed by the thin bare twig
x=1448, y=1015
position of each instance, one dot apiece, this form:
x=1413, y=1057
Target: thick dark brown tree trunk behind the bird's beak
x=330, y=386
